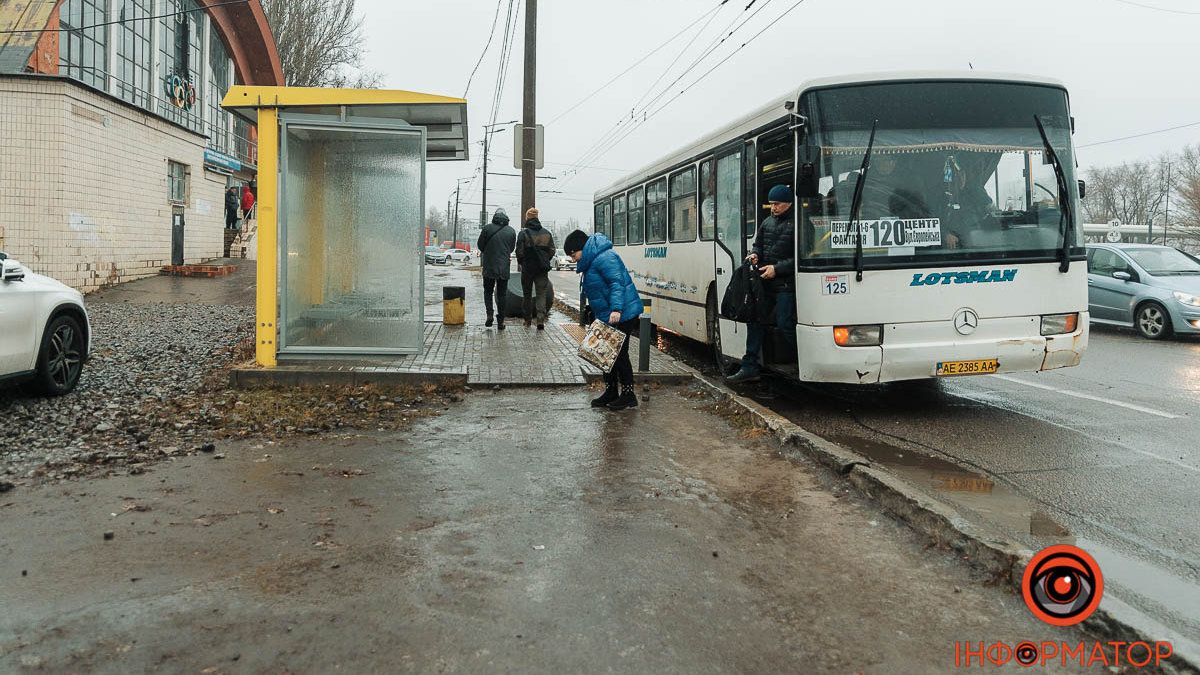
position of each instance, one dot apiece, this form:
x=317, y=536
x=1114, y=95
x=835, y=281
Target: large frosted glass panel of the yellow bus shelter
x=353, y=241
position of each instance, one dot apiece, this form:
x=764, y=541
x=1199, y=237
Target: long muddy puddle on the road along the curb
x=975, y=492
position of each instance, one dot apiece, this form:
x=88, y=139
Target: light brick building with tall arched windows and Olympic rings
x=115, y=152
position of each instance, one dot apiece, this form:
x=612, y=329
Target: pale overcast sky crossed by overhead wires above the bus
x=1130, y=67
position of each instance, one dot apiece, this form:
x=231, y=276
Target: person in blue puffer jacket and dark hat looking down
x=615, y=301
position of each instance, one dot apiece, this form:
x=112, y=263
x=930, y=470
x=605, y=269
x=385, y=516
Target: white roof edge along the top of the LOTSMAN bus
x=775, y=110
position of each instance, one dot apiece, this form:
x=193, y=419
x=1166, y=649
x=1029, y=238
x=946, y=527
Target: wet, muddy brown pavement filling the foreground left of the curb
x=520, y=531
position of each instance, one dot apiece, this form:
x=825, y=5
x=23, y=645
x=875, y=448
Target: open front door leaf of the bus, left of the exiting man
x=728, y=337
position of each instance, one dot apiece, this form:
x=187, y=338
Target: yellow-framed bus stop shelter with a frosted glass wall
x=341, y=216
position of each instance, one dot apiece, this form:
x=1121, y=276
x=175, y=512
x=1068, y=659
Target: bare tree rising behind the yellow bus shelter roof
x=321, y=44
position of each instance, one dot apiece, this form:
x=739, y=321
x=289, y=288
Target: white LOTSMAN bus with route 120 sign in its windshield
x=969, y=258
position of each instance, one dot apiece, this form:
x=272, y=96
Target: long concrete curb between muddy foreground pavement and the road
x=941, y=523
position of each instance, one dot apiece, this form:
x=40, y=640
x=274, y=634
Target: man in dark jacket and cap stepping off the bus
x=775, y=253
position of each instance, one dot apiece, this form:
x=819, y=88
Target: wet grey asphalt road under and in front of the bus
x=1106, y=456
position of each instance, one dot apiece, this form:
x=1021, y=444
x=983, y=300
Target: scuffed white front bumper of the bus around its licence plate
x=913, y=351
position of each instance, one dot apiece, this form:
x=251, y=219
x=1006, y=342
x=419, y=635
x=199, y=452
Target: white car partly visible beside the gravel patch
x=45, y=334
